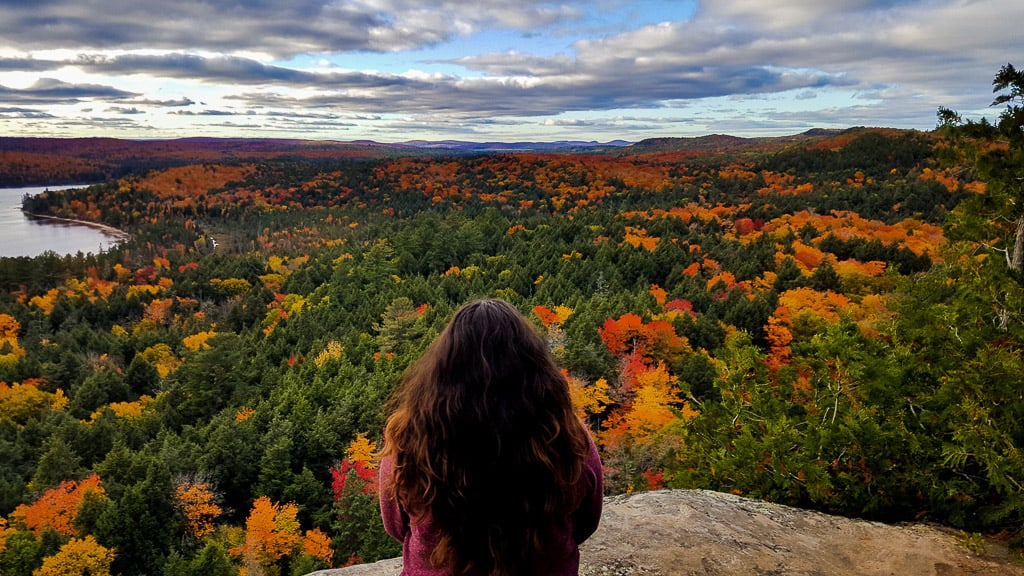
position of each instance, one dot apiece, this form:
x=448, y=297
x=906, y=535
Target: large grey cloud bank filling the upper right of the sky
x=751, y=48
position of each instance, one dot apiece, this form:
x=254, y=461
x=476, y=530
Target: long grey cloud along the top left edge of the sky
x=282, y=29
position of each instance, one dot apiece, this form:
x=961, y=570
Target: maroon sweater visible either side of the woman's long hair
x=562, y=557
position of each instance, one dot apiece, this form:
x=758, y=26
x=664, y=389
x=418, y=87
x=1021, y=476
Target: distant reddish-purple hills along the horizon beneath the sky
x=29, y=161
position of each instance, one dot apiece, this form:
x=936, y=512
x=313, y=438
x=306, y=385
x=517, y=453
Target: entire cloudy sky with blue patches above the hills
x=395, y=71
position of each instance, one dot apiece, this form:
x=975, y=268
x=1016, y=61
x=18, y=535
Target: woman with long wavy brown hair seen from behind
x=487, y=469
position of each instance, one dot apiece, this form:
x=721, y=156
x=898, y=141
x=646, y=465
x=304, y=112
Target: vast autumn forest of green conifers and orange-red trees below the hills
x=833, y=321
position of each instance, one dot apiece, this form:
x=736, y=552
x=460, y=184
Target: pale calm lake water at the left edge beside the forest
x=22, y=236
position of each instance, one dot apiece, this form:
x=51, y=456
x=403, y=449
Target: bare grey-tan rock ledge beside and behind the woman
x=697, y=532
